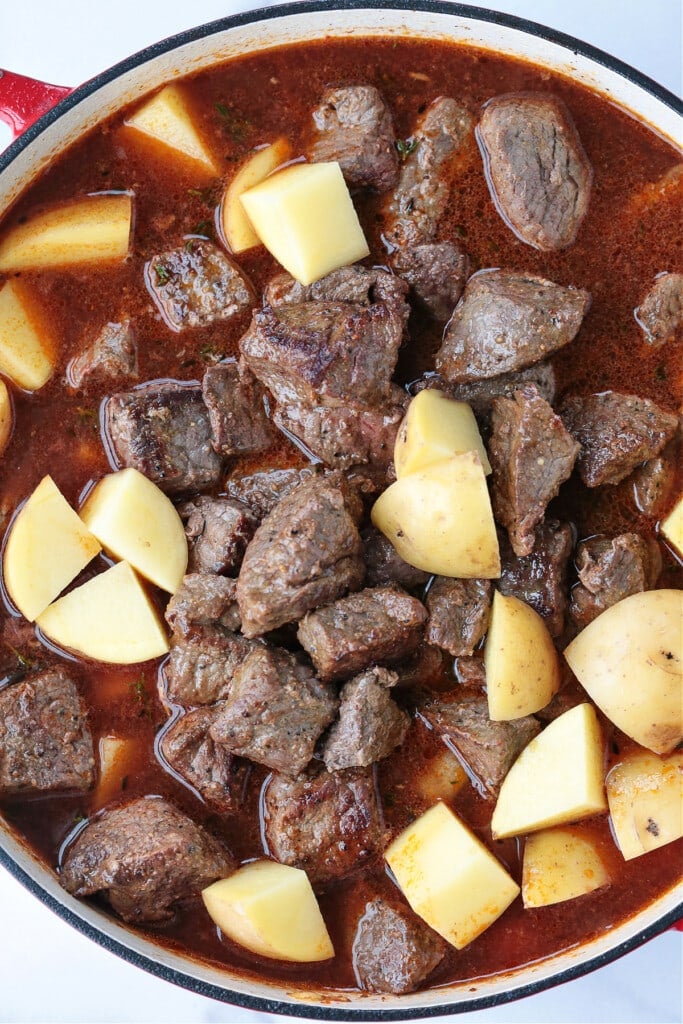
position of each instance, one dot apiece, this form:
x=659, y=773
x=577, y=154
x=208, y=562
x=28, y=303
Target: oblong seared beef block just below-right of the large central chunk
x=380, y=625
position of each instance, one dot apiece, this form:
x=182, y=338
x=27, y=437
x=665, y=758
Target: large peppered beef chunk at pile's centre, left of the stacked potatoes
x=306, y=553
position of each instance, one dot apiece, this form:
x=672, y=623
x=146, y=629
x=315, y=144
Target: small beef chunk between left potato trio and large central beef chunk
x=219, y=531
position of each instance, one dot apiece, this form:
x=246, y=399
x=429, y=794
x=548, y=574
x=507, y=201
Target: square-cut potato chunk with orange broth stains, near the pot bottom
x=449, y=877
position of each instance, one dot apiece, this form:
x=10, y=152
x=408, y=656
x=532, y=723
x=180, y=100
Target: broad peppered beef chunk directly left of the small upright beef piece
x=276, y=711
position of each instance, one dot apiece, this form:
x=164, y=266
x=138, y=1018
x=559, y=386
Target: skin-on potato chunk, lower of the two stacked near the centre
x=440, y=520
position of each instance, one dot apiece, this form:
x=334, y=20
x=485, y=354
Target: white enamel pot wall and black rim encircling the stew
x=126, y=82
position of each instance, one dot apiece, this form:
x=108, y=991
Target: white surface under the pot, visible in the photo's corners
x=49, y=972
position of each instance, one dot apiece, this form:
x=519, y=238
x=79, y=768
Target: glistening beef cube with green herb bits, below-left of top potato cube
x=196, y=286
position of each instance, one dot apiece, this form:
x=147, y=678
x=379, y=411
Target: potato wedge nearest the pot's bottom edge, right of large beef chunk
x=272, y=910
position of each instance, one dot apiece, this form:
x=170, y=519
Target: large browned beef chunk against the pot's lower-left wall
x=145, y=857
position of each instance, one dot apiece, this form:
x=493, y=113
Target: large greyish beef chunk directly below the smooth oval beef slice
x=506, y=322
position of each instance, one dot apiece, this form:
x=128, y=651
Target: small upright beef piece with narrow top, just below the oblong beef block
x=370, y=727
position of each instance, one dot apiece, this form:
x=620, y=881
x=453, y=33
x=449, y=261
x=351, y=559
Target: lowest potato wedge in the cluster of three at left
x=109, y=619
